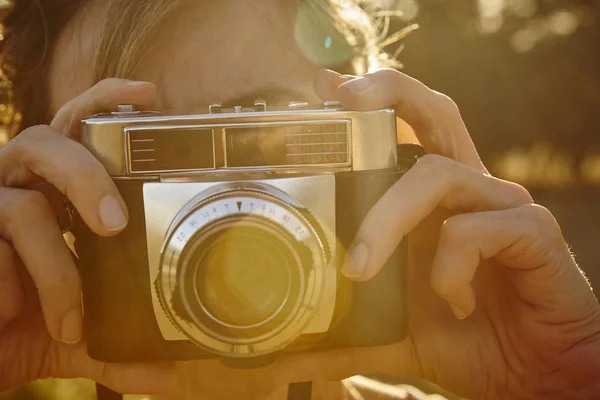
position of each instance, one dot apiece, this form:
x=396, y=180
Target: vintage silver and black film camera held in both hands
x=239, y=221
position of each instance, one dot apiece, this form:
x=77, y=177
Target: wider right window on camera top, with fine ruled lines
x=287, y=145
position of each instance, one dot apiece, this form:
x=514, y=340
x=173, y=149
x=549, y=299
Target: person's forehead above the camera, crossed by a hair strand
x=196, y=55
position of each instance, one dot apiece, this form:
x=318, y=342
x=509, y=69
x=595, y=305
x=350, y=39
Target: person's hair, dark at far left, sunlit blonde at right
x=32, y=27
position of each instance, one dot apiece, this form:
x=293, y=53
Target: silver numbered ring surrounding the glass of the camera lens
x=236, y=202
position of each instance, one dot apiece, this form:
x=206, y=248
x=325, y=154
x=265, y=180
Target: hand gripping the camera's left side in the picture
x=40, y=289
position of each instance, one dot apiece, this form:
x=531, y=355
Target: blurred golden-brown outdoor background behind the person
x=526, y=76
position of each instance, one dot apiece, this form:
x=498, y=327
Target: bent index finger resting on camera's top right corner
x=434, y=117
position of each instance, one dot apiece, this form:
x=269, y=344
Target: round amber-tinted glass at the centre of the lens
x=241, y=274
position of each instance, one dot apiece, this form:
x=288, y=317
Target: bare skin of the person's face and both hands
x=497, y=306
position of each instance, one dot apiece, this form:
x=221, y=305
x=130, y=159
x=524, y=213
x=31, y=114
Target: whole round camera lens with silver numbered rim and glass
x=242, y=270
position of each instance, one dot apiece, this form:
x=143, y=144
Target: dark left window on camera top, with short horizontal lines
x=155, y=150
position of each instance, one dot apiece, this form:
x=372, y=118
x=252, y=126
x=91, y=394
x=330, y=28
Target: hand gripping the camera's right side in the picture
x=526, y=323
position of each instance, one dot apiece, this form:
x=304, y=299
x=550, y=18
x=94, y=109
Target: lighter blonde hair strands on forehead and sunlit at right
x=364, y=32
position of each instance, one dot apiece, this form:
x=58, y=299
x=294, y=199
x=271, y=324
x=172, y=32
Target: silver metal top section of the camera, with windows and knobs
x=296, y=139
